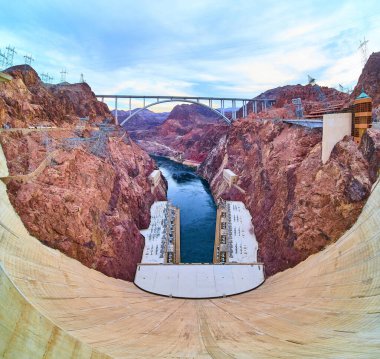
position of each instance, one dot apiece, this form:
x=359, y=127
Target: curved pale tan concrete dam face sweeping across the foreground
x=52, y=306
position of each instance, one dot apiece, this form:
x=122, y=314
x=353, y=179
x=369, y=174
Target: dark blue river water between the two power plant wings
x=192, y=195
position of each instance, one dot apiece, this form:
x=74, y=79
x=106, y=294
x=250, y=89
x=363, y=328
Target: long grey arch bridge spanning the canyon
x=247, y=105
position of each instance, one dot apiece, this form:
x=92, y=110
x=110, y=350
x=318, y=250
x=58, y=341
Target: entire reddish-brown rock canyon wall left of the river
x=92, y=198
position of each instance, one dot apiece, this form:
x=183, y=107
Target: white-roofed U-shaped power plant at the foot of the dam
x=234, y=269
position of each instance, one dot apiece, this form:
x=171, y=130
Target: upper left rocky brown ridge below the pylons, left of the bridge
x=26, y=101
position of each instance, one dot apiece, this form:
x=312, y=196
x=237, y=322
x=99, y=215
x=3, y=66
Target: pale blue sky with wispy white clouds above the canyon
x=192, y=48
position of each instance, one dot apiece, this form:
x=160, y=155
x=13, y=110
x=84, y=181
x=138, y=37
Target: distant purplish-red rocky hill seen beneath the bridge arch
x=190, y=132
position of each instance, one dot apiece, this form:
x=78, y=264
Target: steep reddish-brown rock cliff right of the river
x=298, y=205
